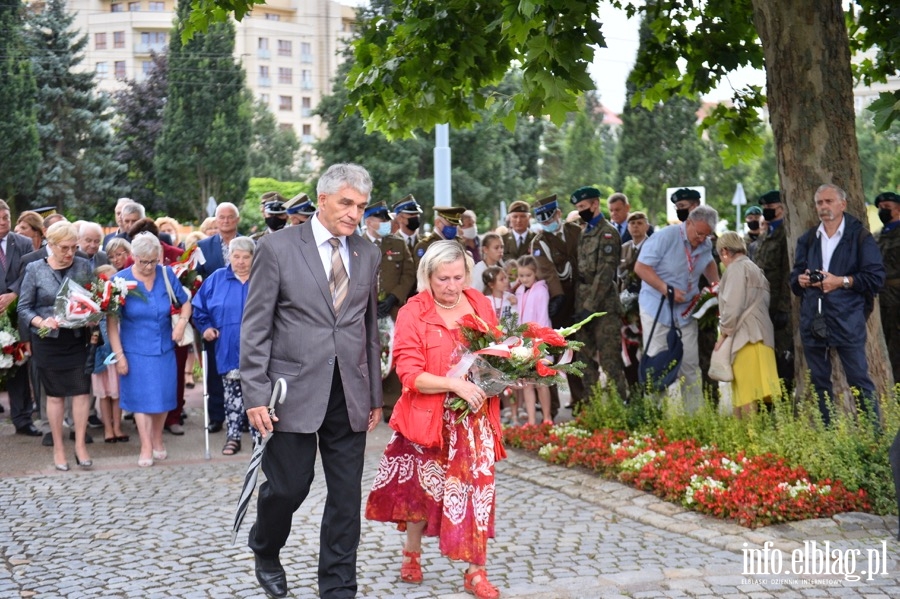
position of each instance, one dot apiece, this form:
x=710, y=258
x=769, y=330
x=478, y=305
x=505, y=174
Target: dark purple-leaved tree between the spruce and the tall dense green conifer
x=140, y=111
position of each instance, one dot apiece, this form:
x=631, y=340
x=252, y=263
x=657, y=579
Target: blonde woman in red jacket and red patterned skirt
x=436, y=477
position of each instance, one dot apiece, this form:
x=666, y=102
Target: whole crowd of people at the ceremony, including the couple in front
x=305, y=299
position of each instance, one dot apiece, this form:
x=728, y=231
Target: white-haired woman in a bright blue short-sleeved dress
x=143, y=340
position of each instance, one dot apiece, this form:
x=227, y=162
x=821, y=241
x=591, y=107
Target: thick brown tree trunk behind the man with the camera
x=810, y=100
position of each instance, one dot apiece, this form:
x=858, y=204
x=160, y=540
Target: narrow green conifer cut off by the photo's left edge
x=19, y=141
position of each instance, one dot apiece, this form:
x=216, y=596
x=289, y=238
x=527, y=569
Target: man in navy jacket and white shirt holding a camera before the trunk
x=837, y=272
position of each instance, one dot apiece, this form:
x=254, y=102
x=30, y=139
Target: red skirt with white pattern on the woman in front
x=451, y=488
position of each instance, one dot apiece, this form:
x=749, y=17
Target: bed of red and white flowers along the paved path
x=752, y=491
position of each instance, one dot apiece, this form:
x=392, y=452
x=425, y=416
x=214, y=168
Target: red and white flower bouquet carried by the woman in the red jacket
x=495, y=357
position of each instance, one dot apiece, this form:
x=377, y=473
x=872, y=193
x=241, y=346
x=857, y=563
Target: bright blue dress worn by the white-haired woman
x=145, y=328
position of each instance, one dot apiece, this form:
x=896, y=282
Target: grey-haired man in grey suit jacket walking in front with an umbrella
x=311, y=319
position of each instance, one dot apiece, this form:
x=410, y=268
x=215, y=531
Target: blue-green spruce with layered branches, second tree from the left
x=78, y=170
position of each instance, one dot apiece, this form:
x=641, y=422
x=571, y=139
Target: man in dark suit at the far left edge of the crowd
x=12, y=248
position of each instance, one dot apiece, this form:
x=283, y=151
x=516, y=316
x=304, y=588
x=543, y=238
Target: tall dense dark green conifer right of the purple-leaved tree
x=203, y=150
